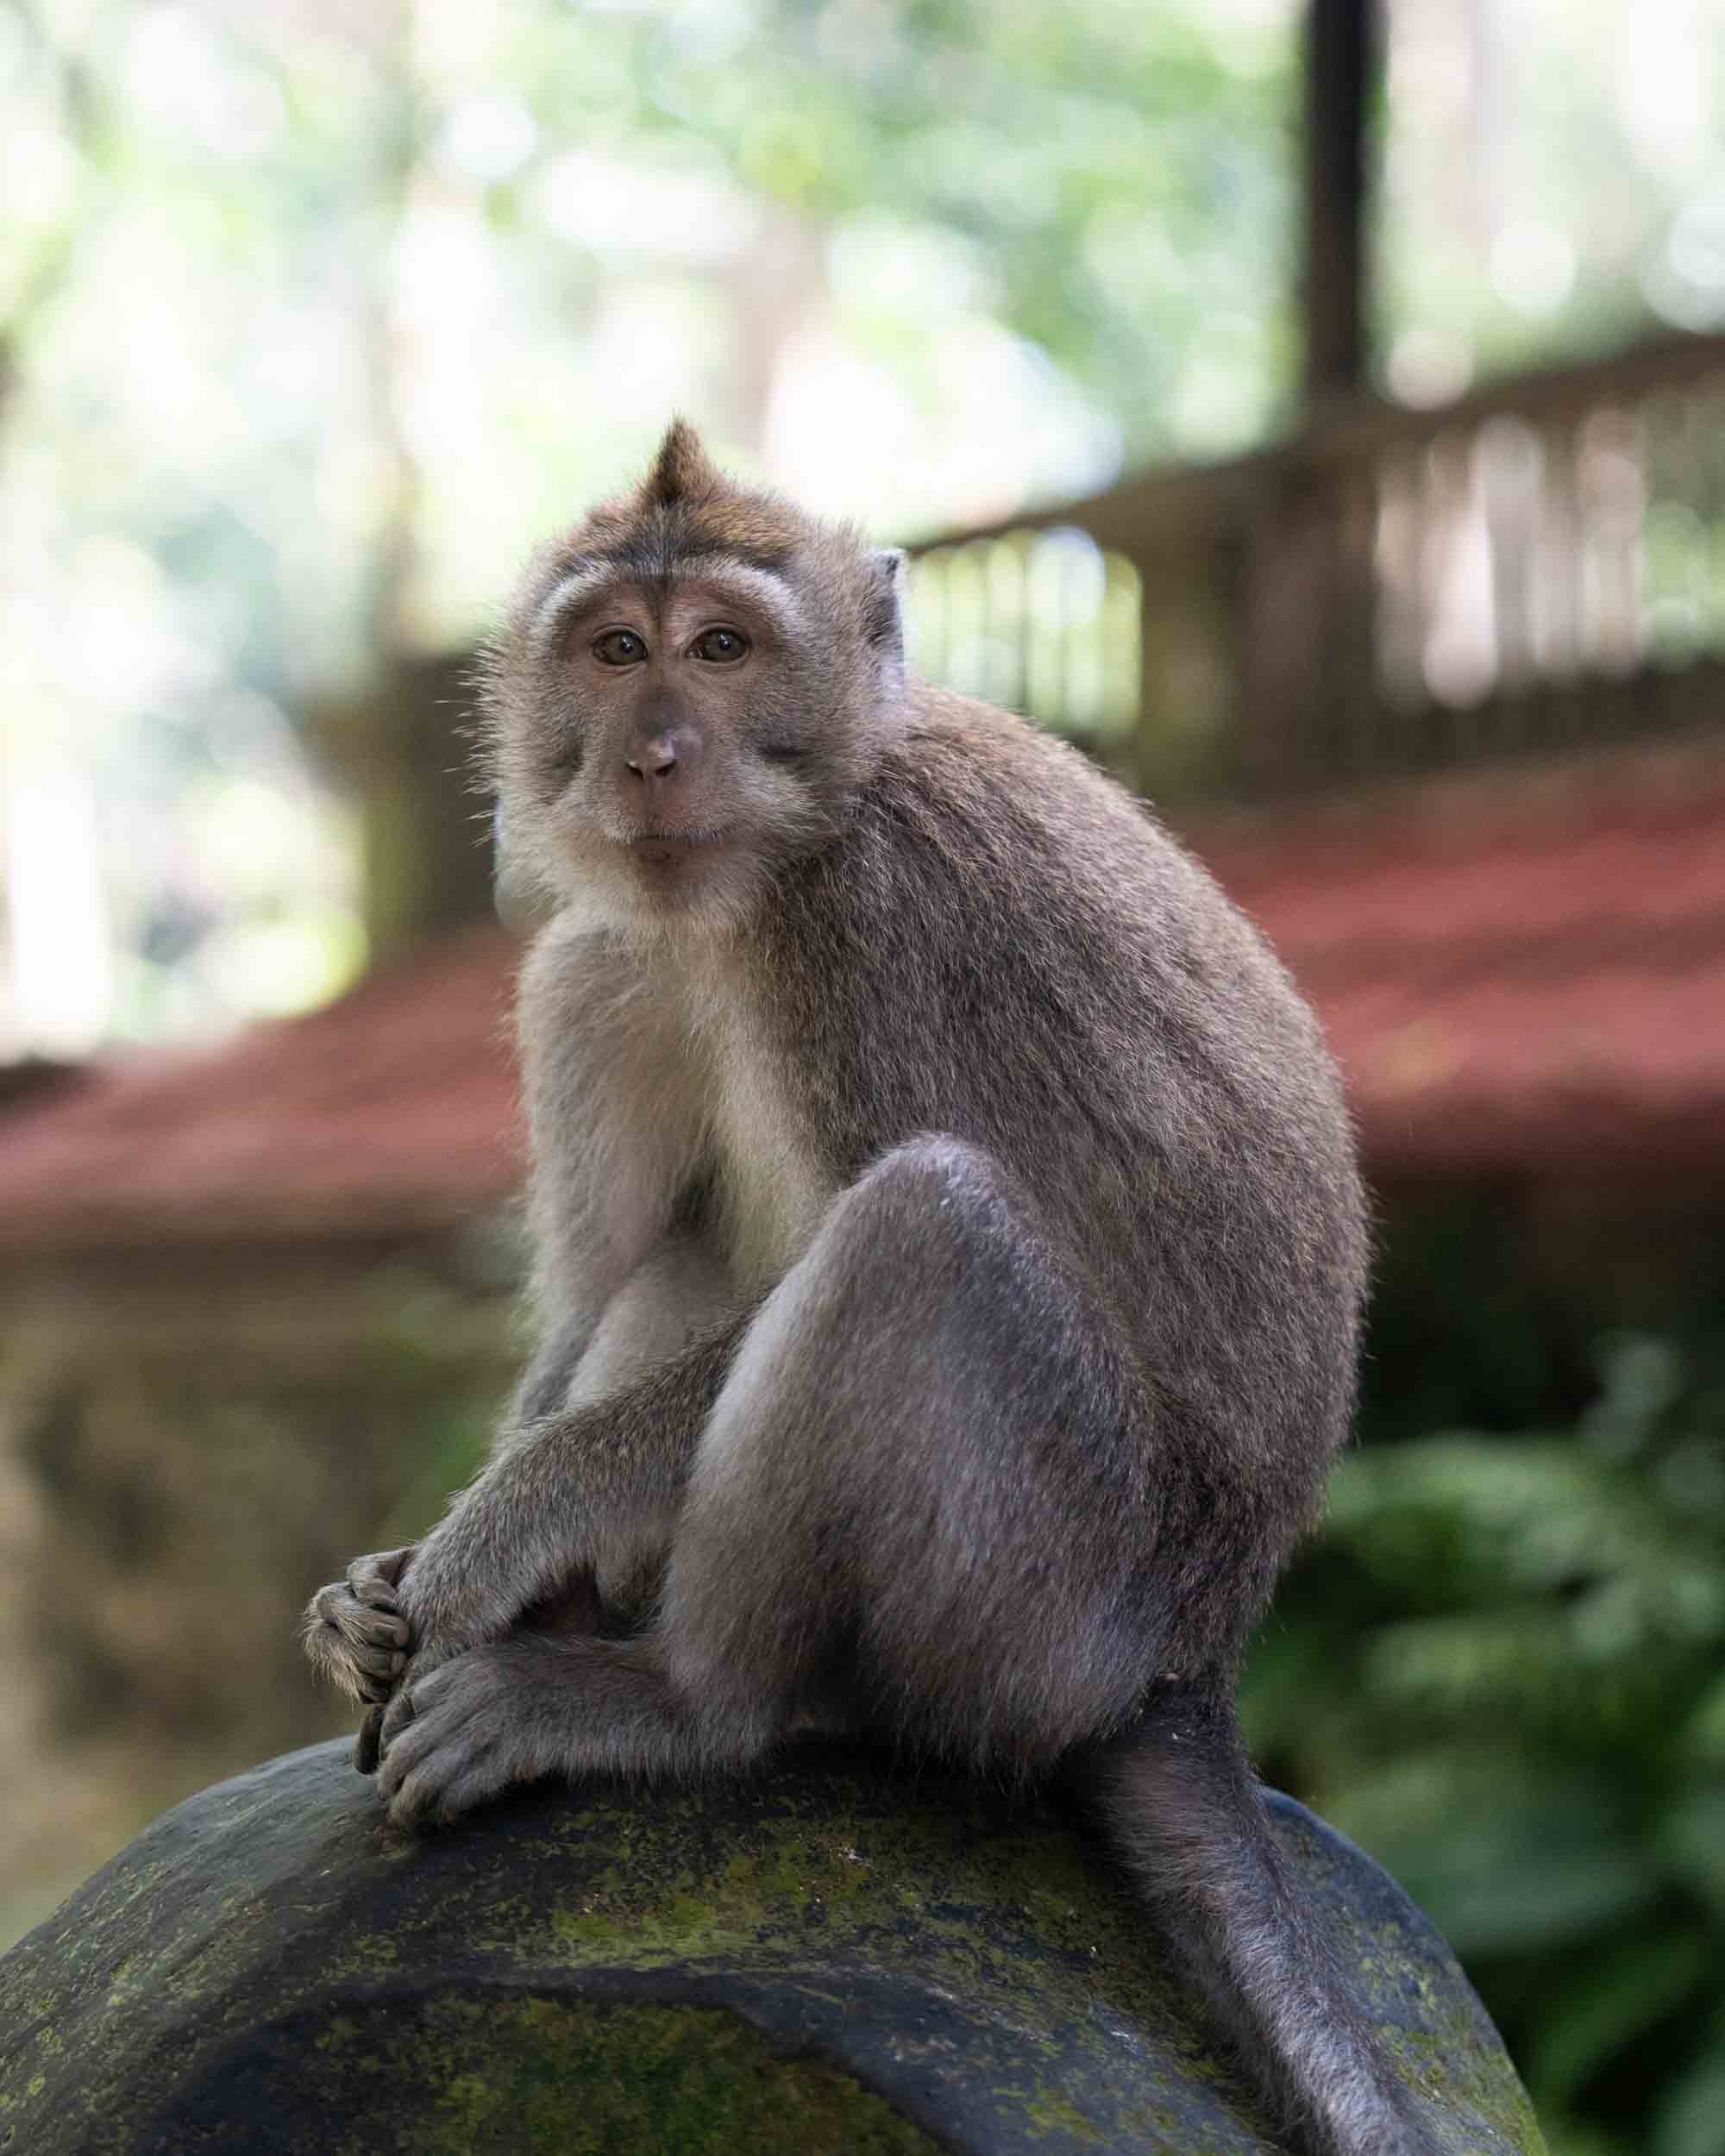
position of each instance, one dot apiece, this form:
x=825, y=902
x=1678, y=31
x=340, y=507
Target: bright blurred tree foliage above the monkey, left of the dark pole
x=316, y=318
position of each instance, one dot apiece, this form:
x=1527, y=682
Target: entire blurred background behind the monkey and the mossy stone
x=1314, y=411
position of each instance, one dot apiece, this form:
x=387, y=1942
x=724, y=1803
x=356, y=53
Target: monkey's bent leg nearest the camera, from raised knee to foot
x=924, y=1454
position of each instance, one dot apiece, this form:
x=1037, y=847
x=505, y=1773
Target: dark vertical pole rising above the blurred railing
x=1340, y=59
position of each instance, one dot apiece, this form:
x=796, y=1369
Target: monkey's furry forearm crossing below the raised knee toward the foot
x=564, y=1495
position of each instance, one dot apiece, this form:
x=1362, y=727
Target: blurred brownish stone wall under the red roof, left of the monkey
x=191, y=1443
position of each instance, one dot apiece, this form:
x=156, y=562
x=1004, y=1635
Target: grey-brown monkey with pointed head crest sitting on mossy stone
x=950, y=1260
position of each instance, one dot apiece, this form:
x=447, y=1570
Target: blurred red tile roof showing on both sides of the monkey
x=1517, y=978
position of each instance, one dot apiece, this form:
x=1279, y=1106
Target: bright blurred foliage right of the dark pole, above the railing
x=1554, y=178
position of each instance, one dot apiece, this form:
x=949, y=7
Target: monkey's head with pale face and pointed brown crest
x=687, y=693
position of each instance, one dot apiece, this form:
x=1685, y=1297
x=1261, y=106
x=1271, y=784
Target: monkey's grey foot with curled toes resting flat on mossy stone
x=523, y=1709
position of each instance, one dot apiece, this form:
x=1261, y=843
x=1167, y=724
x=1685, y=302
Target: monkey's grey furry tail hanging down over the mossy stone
x=1187, y=1816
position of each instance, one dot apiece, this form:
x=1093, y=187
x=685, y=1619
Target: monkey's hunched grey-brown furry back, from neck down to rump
x=1008, y=950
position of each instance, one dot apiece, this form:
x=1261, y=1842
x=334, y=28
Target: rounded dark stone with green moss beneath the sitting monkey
x=825, y=1959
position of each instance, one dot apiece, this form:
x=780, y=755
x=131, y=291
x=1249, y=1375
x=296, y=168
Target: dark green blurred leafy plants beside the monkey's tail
x=1504, y=1670
